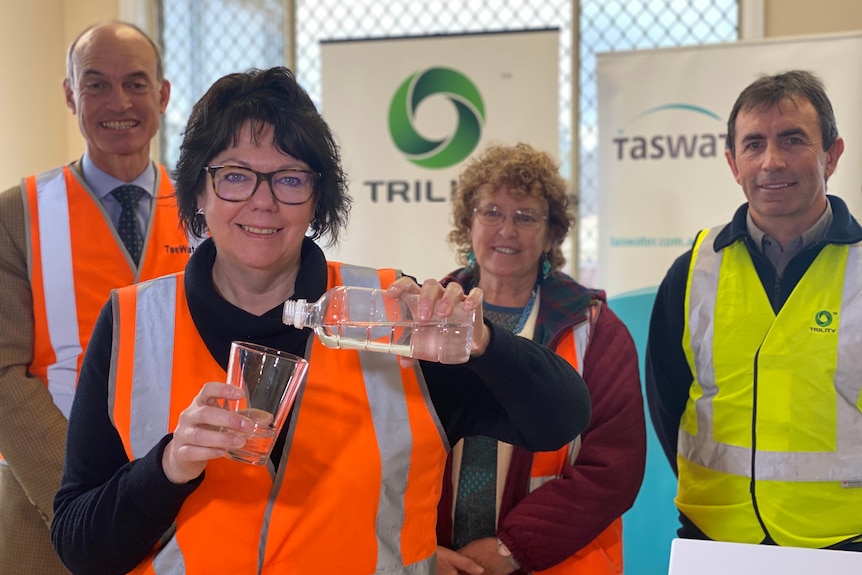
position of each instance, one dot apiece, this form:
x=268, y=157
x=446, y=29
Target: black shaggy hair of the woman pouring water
x=262, y=98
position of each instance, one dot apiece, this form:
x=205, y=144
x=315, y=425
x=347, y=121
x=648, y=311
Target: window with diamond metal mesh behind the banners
x=205, y=39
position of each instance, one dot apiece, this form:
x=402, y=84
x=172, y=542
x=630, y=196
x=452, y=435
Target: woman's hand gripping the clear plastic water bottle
x=434, y=298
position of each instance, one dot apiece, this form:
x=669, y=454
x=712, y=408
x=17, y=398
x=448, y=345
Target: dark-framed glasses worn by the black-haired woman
x=238, y=184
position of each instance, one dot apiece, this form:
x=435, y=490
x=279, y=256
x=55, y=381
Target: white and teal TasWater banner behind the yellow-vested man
x=663, y=177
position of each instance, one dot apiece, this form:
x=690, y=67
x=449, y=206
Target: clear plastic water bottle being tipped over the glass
x=350, y=317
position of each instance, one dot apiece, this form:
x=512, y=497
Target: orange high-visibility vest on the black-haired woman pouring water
x=359, y=477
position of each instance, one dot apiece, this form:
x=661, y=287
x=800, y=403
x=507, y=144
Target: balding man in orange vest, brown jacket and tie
x=67, y=237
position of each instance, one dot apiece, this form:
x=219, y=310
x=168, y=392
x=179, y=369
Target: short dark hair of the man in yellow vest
x=769, y=91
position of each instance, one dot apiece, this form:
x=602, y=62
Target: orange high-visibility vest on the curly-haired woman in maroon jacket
x=604, y=554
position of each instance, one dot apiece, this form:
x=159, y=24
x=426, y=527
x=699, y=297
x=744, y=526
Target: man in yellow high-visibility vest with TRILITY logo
x=753, y=364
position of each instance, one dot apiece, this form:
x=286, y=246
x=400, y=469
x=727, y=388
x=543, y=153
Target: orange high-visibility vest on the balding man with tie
x=76, y=258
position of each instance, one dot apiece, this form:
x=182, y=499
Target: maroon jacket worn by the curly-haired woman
x=554, y=522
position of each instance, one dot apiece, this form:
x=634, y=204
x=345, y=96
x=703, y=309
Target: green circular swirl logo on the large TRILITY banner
x=467, y=102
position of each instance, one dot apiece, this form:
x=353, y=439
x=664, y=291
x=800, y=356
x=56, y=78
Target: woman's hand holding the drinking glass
x=204, y=431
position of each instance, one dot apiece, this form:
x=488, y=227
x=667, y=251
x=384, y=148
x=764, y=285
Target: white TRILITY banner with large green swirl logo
x=407, y=112
